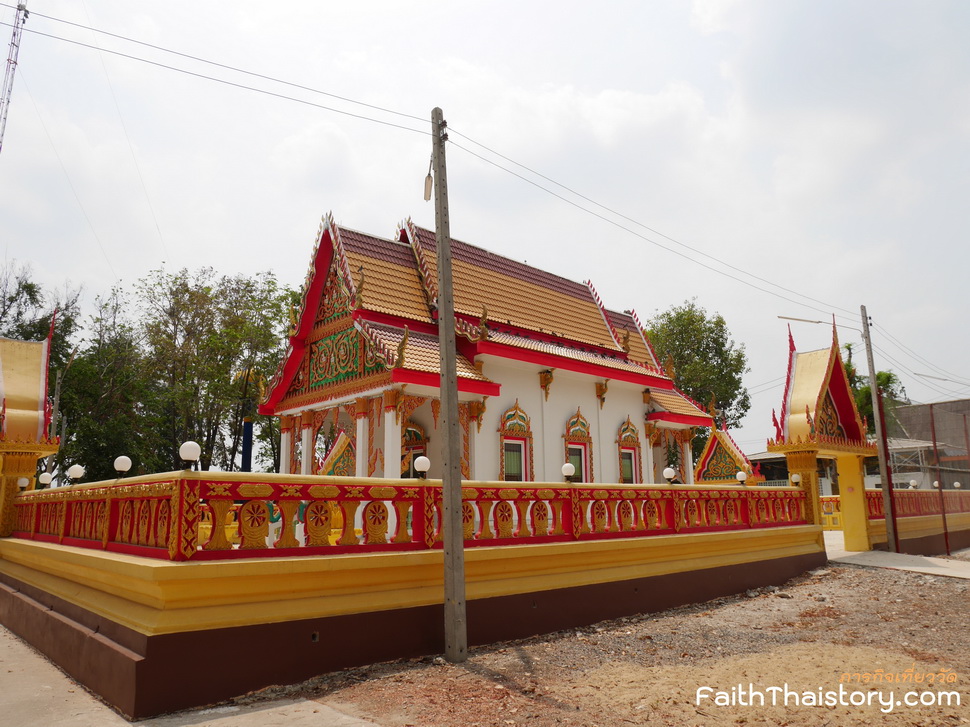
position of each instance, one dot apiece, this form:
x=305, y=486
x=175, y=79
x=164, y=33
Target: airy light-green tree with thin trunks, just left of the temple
x=202, y=334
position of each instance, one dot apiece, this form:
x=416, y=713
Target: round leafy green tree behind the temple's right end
x=707, y=363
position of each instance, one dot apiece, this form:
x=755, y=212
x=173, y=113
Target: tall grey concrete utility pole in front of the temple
x=456, y=636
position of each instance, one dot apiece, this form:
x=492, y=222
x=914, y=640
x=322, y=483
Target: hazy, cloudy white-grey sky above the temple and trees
x=768, y=158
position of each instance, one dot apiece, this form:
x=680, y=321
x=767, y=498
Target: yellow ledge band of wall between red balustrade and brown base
x=155, y=597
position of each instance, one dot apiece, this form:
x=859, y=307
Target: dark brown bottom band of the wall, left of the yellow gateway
x=144, y=676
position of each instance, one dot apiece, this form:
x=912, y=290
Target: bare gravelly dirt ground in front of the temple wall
x=647, y=670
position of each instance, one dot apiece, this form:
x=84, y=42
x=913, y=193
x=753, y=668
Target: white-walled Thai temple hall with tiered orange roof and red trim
x=546, y=373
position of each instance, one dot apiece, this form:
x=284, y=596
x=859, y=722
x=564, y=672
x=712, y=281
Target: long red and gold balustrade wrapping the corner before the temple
x=203, y=516
